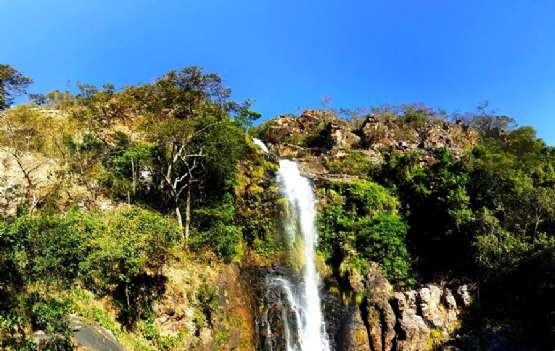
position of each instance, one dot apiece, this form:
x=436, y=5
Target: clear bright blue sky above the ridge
x=289, y=54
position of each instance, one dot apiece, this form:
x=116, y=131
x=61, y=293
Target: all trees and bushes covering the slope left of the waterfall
x=169, y=150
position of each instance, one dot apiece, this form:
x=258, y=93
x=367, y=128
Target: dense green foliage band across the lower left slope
x=119, y=254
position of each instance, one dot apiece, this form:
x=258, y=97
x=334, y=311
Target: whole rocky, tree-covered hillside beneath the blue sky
x=147, y=218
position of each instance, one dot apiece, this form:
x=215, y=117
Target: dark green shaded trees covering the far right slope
x=487, y=217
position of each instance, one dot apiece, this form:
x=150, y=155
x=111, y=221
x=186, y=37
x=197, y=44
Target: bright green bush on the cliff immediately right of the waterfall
x=360, y=221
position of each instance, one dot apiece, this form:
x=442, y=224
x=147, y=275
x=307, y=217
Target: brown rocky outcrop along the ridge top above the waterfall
x=316, y=132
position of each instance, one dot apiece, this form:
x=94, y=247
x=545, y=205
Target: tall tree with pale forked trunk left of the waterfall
x=196, y=127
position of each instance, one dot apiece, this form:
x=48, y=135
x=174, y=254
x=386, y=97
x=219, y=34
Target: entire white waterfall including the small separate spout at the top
x=295, y=300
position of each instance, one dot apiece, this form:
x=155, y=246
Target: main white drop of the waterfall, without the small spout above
x=303, y=297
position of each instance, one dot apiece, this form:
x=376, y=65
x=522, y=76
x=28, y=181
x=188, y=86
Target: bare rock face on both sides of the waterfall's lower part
x=383, y=320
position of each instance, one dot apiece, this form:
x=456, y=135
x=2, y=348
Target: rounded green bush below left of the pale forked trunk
x=127, y=257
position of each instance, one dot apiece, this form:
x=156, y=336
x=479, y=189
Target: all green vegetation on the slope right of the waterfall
x=487, y=216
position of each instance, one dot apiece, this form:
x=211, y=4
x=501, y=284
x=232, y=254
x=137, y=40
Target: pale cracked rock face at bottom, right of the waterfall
x=415, y=320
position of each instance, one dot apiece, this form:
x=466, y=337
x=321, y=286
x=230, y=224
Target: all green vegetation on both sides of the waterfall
x=115, y=184
